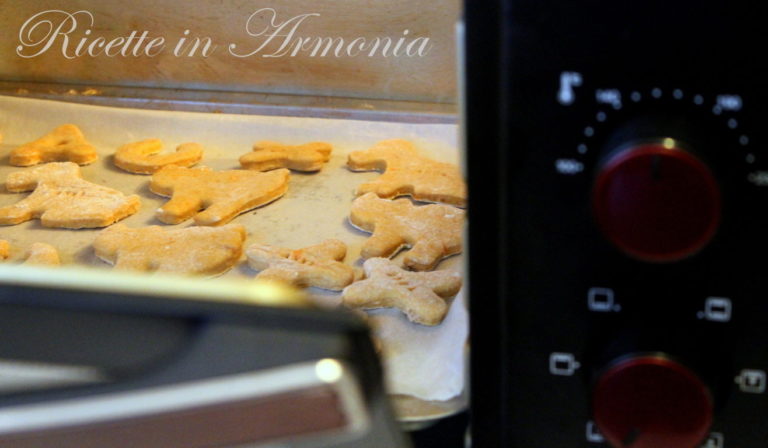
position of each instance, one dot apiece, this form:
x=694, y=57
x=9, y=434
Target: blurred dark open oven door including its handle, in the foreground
x=124, y=368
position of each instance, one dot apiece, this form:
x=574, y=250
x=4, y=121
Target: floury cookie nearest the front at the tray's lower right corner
x=420, y=295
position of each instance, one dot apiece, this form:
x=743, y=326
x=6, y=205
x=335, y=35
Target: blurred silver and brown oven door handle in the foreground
x=319, y=399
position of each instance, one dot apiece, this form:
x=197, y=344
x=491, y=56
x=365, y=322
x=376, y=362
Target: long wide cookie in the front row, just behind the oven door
x=190, y=250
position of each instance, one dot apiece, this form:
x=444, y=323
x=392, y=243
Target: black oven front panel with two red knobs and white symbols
x=576, y=277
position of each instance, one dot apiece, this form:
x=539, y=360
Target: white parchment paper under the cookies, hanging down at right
x=425, y=362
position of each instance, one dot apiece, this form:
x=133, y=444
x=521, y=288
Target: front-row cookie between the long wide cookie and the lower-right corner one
x=319, y=265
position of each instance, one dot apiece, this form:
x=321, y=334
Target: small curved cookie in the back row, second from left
x=143, y=158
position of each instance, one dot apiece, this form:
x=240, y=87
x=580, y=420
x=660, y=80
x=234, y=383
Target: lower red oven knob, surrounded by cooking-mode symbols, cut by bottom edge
x=652, y=402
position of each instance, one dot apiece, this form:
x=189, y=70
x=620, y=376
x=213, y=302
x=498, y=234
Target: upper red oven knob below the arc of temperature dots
x=656, y=202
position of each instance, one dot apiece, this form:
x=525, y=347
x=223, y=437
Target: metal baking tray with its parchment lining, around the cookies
x=315, y=207
